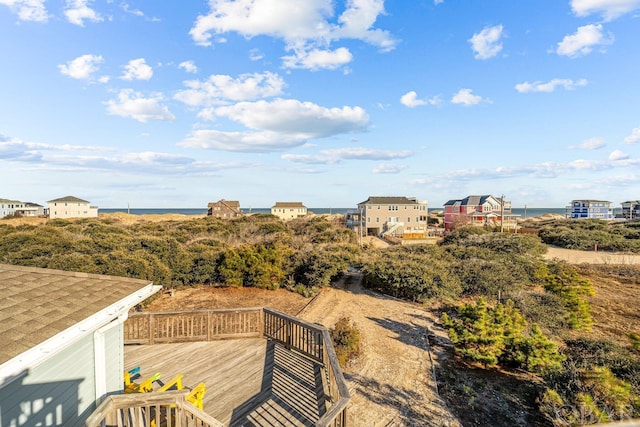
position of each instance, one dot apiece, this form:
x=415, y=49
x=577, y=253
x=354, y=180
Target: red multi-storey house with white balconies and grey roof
x=485, y=210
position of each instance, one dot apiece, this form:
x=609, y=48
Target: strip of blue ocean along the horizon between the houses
x=523, y=212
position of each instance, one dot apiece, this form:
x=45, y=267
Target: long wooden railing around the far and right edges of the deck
x=311, y=340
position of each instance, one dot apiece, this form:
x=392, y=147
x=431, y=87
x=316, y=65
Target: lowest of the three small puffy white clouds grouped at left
x=134, y=105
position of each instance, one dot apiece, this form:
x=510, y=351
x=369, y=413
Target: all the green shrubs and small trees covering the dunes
x=520, y=312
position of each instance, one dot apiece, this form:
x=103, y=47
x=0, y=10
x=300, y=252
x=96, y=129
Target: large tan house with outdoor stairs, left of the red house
x=395, y=216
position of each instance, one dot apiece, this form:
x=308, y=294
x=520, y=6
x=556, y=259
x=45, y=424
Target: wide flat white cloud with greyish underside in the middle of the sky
x=277, y=125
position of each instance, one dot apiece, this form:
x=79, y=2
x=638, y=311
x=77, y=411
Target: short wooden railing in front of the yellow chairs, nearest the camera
x=150, y=409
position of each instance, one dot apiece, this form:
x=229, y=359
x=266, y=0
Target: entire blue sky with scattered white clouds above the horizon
x=176, y=104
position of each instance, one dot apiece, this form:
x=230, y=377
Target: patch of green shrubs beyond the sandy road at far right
x=592, y=233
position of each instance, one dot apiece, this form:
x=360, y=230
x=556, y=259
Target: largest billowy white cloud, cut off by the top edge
x=307, y=28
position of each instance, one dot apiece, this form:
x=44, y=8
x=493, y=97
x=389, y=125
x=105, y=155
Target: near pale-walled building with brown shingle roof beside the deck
x=62, y=342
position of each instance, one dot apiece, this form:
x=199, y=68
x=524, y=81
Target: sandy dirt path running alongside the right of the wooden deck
x=392, y=383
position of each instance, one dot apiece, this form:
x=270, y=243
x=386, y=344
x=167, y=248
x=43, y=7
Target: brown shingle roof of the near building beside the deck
x=38, y=303
